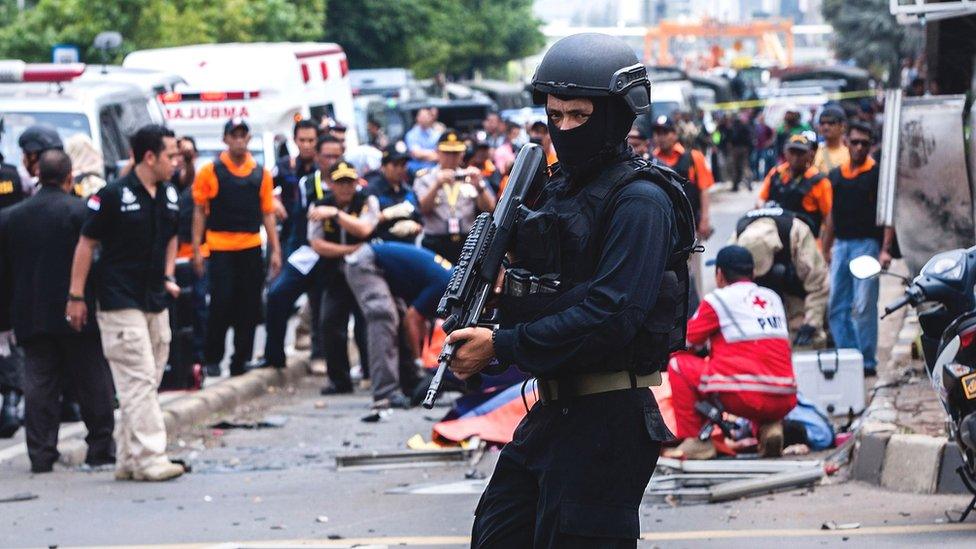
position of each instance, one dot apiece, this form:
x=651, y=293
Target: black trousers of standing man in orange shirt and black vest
x=236, y=282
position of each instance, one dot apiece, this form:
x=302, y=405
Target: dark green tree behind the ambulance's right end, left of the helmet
x=456, y=37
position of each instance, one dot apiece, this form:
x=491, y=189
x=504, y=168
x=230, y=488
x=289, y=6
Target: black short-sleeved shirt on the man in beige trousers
x=134, y=229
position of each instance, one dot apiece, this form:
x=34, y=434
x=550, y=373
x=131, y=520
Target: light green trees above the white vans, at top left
x=30, y=34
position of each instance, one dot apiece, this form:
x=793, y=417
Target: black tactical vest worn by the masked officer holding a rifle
x=564, y=235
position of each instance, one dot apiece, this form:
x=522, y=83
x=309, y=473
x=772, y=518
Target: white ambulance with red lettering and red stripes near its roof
x=271, y=85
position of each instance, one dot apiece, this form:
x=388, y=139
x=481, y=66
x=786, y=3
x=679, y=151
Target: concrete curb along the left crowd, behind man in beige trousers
x=196, y=407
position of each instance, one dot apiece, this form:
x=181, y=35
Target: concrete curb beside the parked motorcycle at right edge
x=898, y=461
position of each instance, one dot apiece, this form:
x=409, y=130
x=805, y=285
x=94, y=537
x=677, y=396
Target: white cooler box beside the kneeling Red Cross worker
x=832, y=378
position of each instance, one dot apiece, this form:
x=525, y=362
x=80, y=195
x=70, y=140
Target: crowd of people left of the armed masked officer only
x=94, y=305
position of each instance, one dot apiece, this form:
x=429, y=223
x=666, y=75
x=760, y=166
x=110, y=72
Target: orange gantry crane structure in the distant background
x=764, y=31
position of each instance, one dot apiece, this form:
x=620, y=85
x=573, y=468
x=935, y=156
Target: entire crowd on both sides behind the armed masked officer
x=240, y=244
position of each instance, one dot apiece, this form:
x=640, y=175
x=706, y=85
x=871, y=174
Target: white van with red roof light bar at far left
x=39, y=93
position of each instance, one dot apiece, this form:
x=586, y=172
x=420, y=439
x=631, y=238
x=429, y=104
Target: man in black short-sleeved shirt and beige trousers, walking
x=134, y=221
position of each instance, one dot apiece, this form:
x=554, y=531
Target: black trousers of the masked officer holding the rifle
x=573, y=475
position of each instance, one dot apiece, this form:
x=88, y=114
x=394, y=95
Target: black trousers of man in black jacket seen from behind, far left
x=51, y=361
